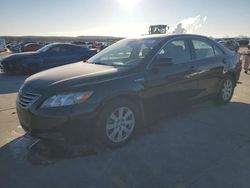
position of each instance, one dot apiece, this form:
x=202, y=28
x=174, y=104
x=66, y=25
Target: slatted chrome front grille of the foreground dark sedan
x=27, y=99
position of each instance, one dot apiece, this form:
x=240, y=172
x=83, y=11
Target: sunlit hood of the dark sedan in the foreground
x=71, y=76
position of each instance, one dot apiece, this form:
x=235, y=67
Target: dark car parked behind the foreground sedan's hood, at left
x=49, y=56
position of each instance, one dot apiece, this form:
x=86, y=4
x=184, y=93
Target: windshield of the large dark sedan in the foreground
x=126, y=52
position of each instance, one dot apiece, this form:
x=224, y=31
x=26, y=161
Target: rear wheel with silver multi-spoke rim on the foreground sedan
x=226, y=90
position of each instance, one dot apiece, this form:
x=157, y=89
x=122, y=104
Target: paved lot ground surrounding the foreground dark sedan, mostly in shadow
x=207, y=146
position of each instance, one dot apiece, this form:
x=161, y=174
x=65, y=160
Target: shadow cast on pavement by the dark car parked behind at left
x=11, y=83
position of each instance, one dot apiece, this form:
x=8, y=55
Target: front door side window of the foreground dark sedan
x=176, y=52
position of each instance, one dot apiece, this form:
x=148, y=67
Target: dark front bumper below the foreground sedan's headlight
x=62, y=124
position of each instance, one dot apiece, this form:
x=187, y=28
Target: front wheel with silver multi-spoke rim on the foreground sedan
x=117, y=123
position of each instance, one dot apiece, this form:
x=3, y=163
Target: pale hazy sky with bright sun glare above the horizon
x=123, y=18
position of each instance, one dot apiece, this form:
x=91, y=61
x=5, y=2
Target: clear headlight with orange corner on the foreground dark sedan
x=67, y=99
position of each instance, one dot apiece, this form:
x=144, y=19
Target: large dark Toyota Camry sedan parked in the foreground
x=109, y=96
